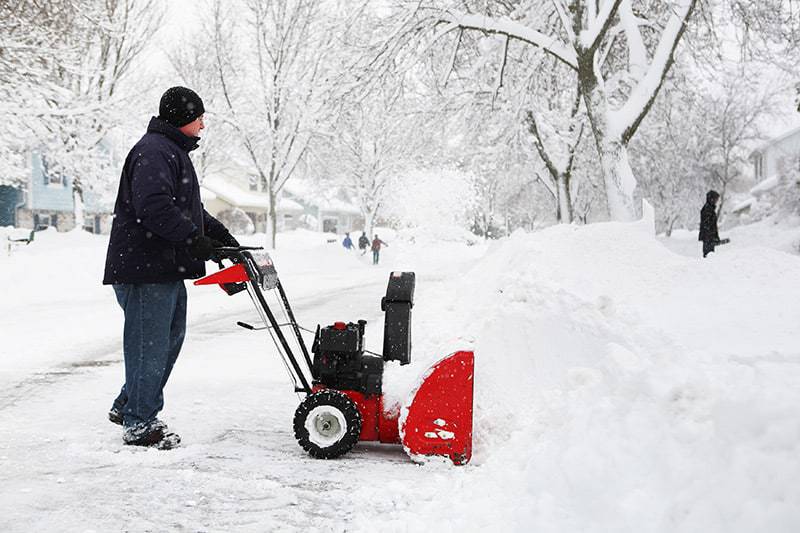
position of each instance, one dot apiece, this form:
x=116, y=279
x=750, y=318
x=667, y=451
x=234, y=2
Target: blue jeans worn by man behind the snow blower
x=155, y=325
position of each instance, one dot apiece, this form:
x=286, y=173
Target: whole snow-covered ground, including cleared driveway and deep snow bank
x=620, y=386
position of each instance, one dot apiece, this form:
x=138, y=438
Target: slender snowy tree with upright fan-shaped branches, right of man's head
x=277, y=67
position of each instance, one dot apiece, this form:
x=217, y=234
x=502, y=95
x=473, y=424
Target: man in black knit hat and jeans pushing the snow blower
x=161, y=235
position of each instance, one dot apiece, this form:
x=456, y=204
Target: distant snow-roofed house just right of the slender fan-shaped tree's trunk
x=328, y=210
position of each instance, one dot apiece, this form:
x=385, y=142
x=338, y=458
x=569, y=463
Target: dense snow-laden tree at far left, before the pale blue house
x=66, y=62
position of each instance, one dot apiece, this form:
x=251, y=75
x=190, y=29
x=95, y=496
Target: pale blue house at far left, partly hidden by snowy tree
x=47, y=201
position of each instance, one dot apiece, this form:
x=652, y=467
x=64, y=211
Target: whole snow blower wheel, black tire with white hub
x=327, y=424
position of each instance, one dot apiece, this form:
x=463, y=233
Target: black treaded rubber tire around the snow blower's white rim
x=336, y=400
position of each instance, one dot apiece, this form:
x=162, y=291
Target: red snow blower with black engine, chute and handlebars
x=344, y=401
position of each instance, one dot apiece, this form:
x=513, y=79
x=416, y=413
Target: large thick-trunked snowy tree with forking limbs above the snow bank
x=620, y=56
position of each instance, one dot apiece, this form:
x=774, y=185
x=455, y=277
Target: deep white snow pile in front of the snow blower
x=621, y=387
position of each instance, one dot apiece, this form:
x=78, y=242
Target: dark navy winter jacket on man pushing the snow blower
x=158, y=212
